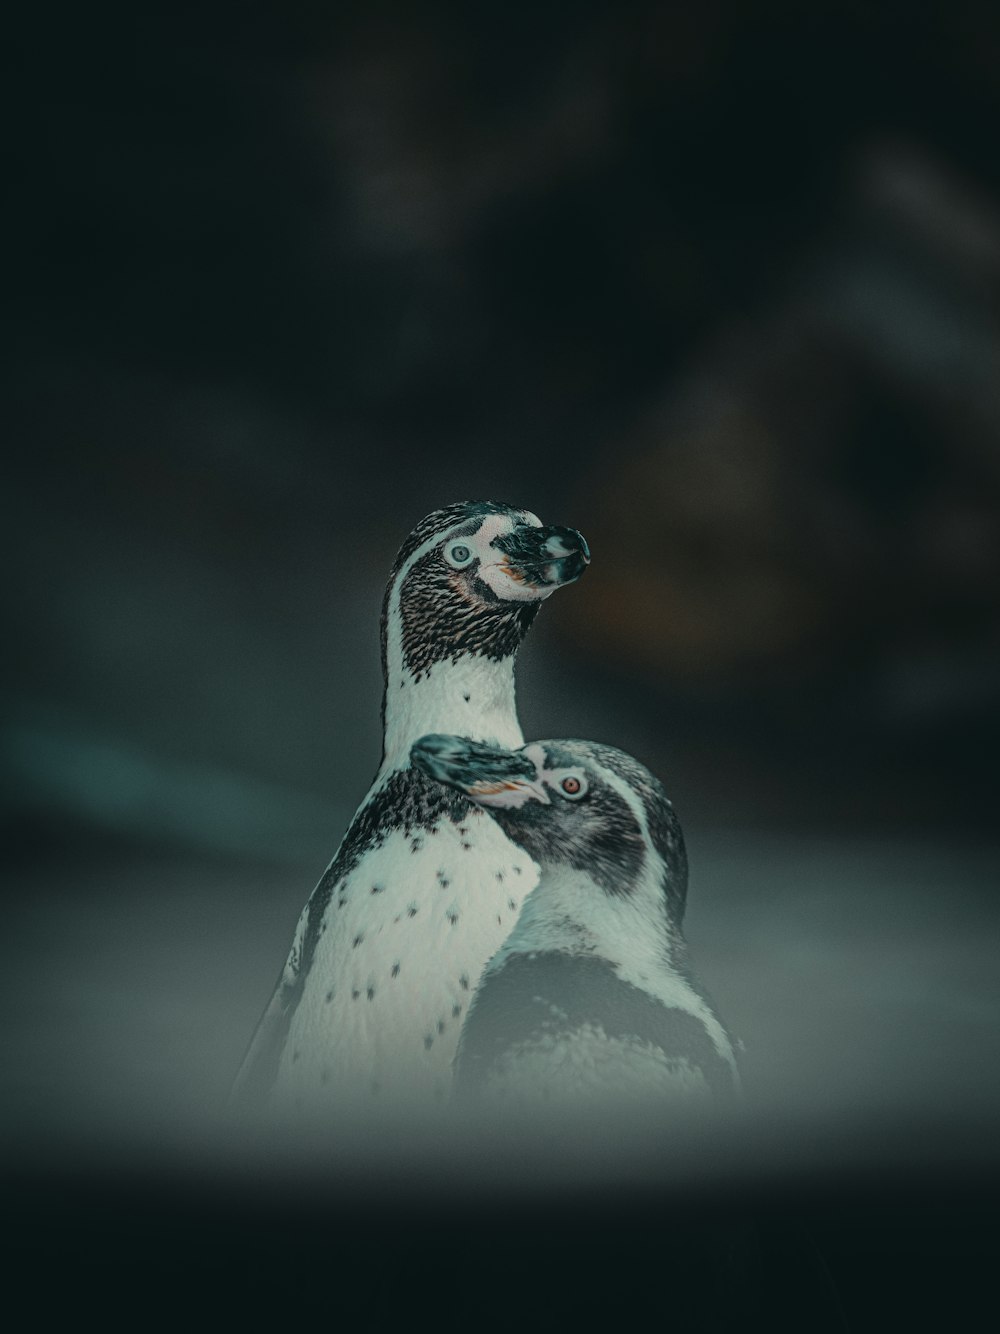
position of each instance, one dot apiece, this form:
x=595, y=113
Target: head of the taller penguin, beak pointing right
x=471, y=578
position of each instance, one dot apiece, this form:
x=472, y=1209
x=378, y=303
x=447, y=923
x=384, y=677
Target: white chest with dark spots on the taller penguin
x=399, y=950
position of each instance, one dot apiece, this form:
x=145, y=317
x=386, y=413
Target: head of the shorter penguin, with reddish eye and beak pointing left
x=573, y=805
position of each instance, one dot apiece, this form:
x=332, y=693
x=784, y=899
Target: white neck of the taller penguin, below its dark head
x=473, y=697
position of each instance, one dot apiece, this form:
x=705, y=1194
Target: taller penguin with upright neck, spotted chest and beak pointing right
x=425, y=886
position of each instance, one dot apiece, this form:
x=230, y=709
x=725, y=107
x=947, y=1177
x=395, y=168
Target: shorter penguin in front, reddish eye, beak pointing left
x=591, y=1001
